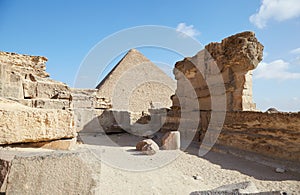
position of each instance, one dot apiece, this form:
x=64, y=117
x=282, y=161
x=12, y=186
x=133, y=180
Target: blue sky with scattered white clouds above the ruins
x=65, y=30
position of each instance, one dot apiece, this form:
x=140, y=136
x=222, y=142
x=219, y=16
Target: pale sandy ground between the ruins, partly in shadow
x=125, y=171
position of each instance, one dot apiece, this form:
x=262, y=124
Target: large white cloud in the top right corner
x=278, y=10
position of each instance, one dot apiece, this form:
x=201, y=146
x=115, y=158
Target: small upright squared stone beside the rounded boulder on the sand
x=171, y=141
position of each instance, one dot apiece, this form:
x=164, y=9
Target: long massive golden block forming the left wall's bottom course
x=23, y=124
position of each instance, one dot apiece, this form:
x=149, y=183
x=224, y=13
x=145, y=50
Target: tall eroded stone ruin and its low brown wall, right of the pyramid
x=245, y=128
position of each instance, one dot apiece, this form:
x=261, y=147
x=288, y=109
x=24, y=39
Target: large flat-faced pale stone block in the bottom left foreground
x=49, y=172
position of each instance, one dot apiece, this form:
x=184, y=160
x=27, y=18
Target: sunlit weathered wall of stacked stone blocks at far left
x=33, y=108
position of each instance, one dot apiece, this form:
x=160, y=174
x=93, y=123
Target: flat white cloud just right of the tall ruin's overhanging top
x=277, y=69
